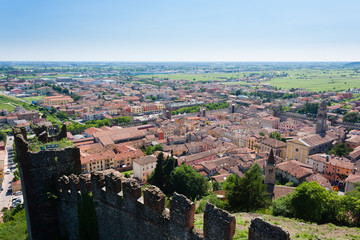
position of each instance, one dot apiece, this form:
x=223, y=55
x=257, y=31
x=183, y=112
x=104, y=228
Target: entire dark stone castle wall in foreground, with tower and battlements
x=62, y=205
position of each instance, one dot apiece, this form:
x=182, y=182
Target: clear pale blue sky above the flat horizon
x=184, y=30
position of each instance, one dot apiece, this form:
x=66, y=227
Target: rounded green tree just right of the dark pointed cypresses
x=185, y=180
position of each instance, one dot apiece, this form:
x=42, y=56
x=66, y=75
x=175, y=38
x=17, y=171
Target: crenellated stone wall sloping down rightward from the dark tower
x=125, y=211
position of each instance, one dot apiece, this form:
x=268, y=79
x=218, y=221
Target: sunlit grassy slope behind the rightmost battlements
x=297, y=229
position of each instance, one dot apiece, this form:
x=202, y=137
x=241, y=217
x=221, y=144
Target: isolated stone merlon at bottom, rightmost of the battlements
x=261, y=230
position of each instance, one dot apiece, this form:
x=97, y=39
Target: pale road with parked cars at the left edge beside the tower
x=5, y=196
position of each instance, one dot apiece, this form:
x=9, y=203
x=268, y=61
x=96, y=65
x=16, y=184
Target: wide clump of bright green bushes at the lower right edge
x=311, y=202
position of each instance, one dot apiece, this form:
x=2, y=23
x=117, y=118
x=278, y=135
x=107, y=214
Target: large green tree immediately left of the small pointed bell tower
x=247, y=193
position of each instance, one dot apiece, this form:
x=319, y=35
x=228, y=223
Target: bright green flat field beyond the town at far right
x=318, y=80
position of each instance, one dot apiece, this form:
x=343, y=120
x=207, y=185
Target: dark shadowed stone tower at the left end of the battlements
x=39, y=173
